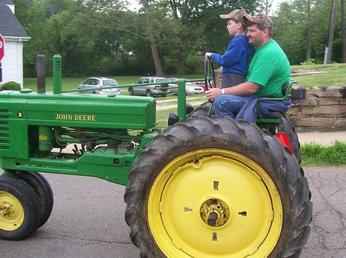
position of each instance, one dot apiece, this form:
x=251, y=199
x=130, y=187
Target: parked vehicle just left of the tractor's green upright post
x=158, y=87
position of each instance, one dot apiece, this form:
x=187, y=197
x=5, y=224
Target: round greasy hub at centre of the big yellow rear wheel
x=215, y=212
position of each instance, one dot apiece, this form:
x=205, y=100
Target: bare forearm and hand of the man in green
x=243, y=89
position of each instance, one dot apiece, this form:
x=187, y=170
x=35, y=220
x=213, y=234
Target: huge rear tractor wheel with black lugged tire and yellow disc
x=211, y=188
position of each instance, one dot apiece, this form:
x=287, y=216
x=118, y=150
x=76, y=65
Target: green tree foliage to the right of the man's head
x=292, y=25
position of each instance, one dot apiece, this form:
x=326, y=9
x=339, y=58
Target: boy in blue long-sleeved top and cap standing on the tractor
x=235, y=61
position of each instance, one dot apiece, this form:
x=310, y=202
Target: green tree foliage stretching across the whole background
x=104, y=37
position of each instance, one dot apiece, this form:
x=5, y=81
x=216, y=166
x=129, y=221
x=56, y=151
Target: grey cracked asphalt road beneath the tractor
x=87, y=220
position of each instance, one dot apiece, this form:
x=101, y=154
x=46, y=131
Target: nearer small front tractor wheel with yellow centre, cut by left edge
x=19, y=209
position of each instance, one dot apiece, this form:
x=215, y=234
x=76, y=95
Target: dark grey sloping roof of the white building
x=9, y=25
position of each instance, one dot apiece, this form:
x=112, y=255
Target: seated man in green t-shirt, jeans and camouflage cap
x=268, y=72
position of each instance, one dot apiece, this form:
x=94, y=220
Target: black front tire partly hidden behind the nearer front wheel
x=42, y=189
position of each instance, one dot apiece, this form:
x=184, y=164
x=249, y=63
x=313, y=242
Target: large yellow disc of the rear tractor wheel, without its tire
x=213, y=202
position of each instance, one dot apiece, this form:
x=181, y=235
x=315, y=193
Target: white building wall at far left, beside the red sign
x=12, y=63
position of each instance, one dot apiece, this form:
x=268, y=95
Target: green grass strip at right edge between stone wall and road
x=315, y=154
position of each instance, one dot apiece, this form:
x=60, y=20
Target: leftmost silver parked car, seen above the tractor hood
x=95, y=85
